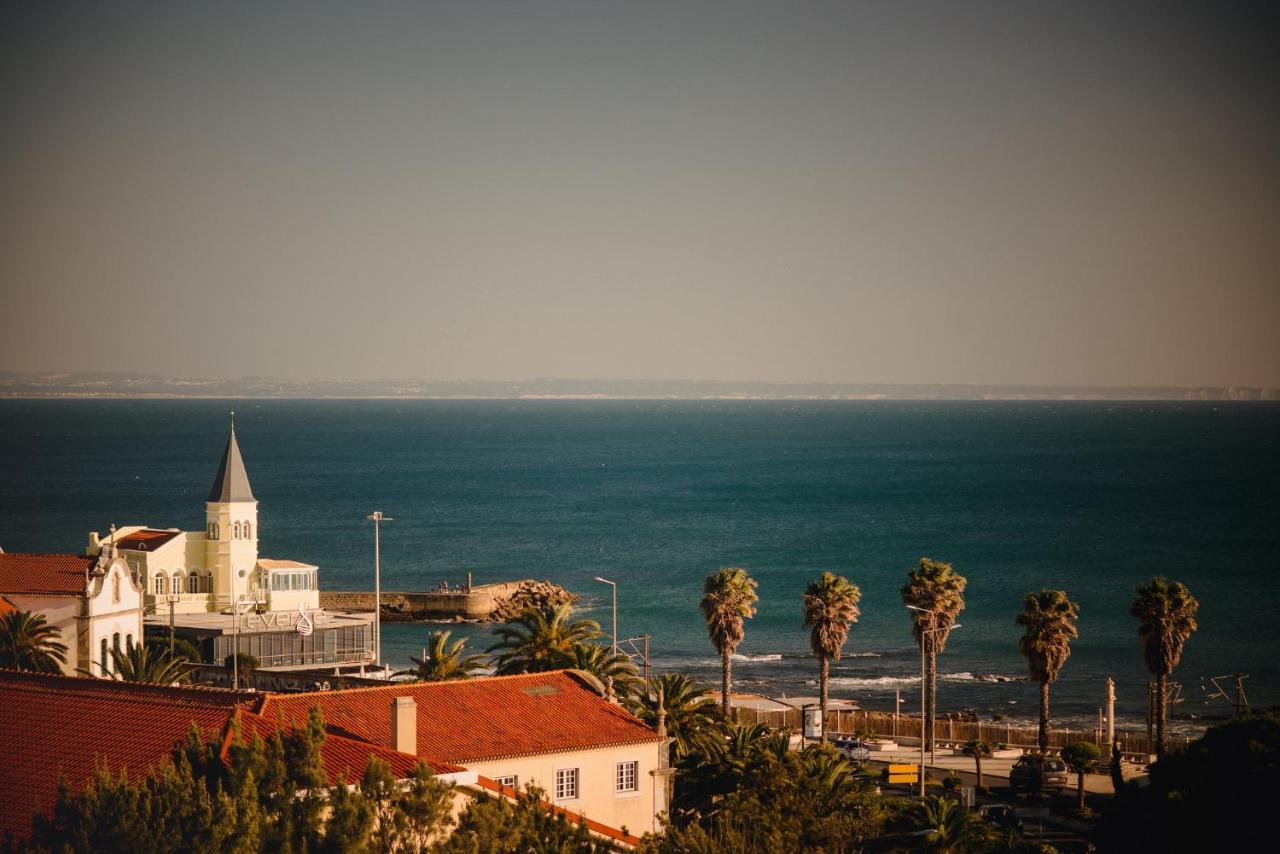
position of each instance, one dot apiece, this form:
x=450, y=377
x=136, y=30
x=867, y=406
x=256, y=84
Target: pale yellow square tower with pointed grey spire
x=231, y=532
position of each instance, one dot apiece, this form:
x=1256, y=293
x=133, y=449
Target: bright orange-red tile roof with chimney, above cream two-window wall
x=477, y=720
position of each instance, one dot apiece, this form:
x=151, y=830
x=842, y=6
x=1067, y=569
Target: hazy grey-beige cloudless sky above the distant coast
x=1013, y=193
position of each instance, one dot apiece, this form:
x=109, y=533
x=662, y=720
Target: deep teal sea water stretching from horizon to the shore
x=1089, y=497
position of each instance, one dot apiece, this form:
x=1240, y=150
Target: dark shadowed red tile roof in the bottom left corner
x=54, y=727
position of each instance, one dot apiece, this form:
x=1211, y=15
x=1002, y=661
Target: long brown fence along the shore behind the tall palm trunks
x=950, y=732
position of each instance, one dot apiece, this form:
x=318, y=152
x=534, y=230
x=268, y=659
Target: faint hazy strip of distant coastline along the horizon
x=65, y=385
